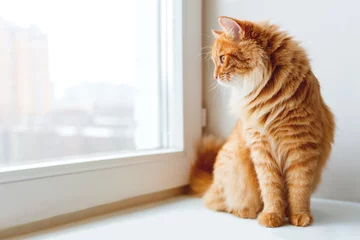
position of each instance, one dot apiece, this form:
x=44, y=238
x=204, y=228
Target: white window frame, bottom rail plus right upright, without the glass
x=39, y=191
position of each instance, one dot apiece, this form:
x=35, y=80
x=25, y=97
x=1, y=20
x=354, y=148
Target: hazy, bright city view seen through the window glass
x=73, y=85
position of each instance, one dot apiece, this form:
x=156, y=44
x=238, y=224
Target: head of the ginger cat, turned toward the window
x=237, y=53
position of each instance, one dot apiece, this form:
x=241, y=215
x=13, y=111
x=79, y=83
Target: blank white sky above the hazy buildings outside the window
x=86, y=38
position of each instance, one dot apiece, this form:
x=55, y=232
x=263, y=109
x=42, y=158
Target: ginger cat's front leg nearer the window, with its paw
x=270, y=180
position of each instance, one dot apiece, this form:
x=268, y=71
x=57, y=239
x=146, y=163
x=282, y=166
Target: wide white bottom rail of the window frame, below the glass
x=57, y=193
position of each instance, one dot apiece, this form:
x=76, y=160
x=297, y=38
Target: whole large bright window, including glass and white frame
x=100, y=101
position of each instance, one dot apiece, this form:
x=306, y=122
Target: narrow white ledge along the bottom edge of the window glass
x=81, y=164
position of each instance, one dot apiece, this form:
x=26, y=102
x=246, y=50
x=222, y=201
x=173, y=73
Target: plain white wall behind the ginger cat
x=330, y=31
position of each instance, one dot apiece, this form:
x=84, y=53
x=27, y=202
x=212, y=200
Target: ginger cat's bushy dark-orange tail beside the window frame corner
x=201, y=176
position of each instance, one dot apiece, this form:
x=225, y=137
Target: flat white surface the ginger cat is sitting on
x=186, y=218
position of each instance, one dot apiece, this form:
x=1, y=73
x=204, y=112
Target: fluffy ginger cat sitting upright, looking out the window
x=275, y=155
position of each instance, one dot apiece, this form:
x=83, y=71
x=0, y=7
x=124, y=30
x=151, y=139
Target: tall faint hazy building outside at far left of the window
x=26, y=88
